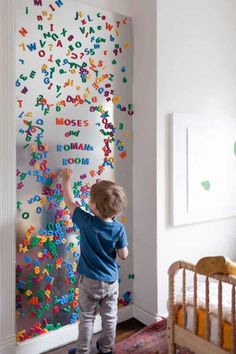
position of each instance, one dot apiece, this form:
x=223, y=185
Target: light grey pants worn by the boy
x=91, y=294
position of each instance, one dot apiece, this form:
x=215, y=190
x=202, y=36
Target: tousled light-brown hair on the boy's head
x=109, y=198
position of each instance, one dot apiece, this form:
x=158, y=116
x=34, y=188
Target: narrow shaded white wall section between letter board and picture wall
x=144, y=152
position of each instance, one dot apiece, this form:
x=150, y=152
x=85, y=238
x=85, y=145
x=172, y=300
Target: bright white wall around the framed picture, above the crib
x=196, y=73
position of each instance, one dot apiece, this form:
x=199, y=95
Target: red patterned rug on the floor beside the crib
x=149, y=340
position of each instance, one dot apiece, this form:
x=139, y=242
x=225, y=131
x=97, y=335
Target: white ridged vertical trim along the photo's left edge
x=7, y=177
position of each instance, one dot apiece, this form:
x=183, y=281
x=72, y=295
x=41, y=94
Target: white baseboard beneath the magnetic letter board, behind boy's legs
x=63, y=336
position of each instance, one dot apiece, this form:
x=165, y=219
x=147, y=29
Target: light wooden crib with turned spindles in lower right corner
x=178, y=334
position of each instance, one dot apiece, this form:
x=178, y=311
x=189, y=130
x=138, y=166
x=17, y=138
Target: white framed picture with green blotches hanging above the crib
x=203, y=168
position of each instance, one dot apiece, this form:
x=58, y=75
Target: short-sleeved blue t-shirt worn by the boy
x=99, y=241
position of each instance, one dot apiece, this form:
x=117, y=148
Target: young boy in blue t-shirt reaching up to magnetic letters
x=101, y=239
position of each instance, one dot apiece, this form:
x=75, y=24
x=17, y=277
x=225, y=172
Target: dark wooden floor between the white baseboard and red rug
x=124, y=331
